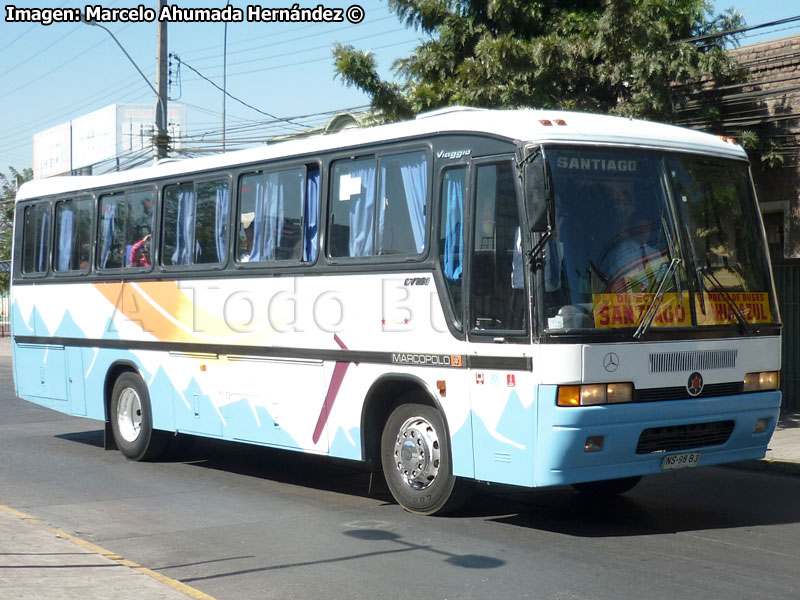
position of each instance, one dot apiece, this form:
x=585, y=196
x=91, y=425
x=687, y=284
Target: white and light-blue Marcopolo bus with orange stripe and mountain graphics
x=522, y=297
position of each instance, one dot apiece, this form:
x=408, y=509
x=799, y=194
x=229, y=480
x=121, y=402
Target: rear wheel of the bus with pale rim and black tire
x=132, y=420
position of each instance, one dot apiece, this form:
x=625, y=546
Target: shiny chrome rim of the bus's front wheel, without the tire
x=417, y=453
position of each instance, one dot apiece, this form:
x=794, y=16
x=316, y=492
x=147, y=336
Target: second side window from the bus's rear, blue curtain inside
x=73, y=235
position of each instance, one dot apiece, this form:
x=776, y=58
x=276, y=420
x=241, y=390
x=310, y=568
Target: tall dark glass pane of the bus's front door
x=498, y=295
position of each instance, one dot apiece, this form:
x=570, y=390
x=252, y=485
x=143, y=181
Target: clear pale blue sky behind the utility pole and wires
x=52, y=74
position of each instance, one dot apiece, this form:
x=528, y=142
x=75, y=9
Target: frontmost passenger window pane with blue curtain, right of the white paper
x=401, y=211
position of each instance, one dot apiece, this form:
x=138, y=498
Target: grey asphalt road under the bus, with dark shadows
x=242, y=522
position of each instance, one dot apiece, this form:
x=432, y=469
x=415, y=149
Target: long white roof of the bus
x=523, y=125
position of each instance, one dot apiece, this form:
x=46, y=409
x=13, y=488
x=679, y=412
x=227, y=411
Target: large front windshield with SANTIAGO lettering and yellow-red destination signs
x=672, y=240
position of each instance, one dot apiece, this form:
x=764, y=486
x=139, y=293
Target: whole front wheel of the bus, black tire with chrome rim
x=416, y=460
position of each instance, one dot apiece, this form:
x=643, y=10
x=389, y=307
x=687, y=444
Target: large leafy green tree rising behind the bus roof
x=637, y=58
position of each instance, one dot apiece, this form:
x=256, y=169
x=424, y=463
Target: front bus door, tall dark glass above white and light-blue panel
x=497, y=319
